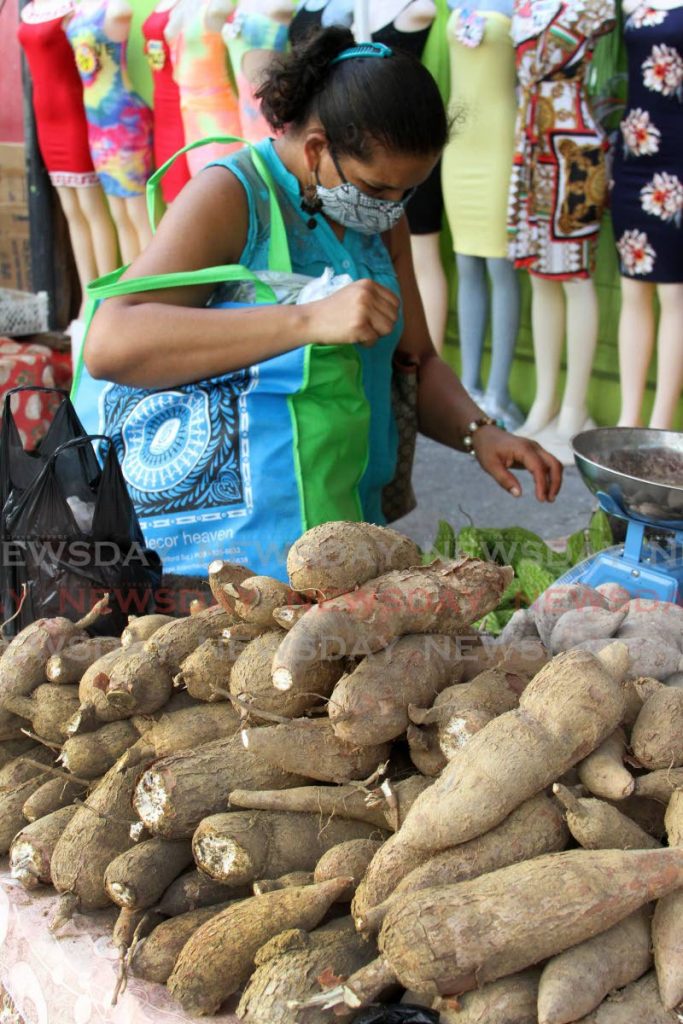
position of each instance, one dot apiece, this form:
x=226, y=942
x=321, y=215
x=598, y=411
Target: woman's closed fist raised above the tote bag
x=363, y=313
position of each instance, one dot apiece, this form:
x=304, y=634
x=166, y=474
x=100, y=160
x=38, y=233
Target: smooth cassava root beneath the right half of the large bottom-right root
x=577, y=982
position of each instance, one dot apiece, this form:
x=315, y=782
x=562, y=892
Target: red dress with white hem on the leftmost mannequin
x=58, y=99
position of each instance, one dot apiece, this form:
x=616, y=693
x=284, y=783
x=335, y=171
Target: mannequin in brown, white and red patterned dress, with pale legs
x=558, y=197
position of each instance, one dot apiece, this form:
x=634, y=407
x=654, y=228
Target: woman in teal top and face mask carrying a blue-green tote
x=358, y=130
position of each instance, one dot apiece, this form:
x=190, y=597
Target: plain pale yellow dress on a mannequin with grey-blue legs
x=478, y=162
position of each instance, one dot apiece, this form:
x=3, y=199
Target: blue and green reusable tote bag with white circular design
x=241, y=465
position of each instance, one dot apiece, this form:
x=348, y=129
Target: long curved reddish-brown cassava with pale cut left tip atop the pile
x=443, y=598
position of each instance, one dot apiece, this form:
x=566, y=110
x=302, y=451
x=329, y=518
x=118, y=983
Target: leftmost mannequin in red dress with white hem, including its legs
x=63, y=138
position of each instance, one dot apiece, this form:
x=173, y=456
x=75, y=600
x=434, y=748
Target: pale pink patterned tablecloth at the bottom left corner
x=71, y=979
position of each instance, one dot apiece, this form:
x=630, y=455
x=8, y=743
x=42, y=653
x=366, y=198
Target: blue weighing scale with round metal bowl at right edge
x=637, y=476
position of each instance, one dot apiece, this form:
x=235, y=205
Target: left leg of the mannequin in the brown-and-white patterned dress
x=548, y=331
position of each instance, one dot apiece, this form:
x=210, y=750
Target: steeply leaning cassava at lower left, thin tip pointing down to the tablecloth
x=98, y=834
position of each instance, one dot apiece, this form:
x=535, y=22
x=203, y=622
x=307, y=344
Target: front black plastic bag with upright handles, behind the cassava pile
x=70, y=536
